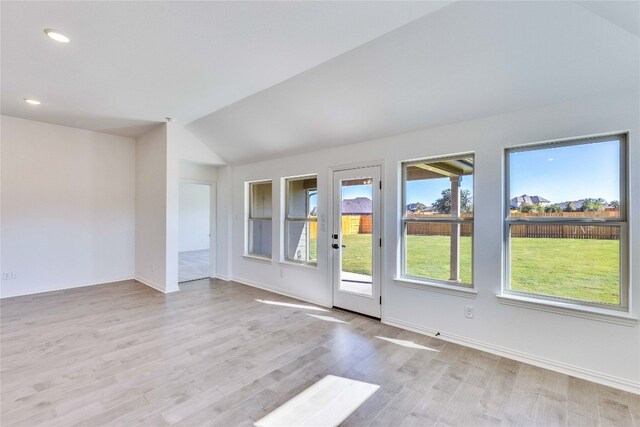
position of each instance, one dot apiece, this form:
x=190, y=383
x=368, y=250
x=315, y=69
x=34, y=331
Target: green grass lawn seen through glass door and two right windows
x=580, y=269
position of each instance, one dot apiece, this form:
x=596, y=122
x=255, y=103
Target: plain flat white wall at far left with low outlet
x=68, y=207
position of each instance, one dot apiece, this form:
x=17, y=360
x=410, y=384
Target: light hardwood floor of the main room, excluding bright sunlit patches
x=123, y=354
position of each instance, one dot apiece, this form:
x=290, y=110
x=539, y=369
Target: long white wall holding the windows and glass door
x=598, y=350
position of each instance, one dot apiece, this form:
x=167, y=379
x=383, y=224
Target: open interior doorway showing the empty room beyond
x=195, y=257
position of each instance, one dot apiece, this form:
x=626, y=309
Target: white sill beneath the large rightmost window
x=568, y=309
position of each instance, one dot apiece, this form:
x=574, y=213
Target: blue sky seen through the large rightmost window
x=568, y=173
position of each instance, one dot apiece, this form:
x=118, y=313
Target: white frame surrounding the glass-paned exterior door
x=331, y=200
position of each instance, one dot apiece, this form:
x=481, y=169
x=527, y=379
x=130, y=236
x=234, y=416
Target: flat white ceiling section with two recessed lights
x=134, y=63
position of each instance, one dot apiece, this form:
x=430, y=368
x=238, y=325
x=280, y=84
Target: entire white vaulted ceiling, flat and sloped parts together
x=255, y=80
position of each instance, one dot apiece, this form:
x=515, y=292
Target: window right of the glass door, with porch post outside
x=437, y=220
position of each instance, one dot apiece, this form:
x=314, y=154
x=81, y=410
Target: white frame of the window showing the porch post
x=404, y=277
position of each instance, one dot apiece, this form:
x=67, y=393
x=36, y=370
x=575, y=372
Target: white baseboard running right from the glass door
x=552, y=365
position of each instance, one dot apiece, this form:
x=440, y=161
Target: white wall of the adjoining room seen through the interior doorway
x=194, y=216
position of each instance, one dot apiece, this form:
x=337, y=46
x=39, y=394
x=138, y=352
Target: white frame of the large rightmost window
x=621, y=222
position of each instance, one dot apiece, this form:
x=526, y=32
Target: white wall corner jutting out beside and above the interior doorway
x=164, y=156
